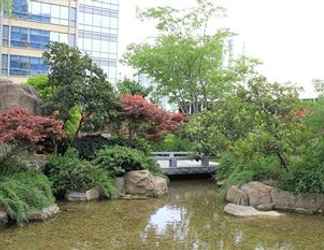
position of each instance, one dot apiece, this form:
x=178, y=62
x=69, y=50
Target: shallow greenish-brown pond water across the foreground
x=191, y=217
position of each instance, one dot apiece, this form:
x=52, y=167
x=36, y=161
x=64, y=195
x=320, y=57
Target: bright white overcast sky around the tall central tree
x=286, y=35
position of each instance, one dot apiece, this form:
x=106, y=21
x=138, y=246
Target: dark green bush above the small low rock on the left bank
x=68, y=173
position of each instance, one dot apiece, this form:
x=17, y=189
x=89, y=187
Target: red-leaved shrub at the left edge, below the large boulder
x=17, y=124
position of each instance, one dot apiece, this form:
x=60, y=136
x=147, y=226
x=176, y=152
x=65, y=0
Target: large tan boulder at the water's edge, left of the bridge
x=143, y=183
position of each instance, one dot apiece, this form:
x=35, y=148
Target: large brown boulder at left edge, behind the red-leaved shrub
x=12, y=95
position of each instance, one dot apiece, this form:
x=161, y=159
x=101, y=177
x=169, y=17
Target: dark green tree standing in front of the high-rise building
x=78, y=82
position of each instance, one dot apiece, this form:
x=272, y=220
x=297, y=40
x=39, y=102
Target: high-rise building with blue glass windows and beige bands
x=92, y=25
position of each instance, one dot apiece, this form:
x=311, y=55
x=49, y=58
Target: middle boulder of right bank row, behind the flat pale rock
x=258, y=193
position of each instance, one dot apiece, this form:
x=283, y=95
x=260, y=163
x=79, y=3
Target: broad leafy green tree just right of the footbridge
x=260, y=117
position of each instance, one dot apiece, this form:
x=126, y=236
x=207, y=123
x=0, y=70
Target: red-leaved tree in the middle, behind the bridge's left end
x=156, y=120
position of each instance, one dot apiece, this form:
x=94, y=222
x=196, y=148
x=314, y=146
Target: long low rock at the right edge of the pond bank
x=302, y=203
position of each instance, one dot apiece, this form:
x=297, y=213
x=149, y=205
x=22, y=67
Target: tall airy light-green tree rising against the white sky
x=187, y=64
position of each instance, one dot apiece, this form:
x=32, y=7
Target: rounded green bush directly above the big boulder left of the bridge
x=118, y=160
